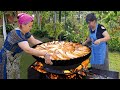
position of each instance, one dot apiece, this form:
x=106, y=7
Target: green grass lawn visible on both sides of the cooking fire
x=27, y=60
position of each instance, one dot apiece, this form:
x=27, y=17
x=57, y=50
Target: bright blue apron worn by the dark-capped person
x=98, y=51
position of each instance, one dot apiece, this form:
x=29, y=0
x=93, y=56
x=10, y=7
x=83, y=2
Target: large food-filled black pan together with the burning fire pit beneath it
x=70, y=61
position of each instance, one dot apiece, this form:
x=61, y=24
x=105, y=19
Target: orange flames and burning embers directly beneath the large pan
x=77, y=73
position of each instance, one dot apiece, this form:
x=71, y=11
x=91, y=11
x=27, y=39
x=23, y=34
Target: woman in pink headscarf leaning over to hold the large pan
x=16, y=42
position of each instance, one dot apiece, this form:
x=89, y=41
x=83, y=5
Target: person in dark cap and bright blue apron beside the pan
x=98, y=37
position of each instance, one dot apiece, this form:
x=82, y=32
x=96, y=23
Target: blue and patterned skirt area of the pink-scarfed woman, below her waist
x=9, y=65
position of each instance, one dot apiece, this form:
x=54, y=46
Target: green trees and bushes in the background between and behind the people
x=71, y=25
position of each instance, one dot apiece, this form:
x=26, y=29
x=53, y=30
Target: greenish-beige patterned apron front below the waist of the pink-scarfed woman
x=13, y=65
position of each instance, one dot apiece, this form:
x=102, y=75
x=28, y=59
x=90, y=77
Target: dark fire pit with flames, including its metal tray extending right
x=37, y=71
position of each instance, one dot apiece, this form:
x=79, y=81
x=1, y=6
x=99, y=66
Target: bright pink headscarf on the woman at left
x=24, y=18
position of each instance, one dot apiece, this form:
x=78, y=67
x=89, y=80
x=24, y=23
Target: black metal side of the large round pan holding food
x=66, y=64
